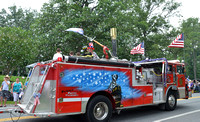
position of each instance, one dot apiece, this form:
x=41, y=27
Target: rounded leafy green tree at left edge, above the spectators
x=17, y=49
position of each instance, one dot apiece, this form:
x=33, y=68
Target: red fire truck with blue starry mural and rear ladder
x=96, y=88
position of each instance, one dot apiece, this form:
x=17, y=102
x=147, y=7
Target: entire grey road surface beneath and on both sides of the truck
x=187, y=110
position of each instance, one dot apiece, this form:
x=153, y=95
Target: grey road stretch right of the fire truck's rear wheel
x=186, y=109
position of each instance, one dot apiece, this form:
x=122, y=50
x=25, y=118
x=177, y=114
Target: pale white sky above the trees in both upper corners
x=189, y=8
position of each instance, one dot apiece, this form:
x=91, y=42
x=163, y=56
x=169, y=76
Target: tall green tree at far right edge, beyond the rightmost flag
x=191, y=28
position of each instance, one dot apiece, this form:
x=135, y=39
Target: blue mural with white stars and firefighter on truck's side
x=92, y=80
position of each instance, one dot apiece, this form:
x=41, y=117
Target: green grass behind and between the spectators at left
x=12, y=79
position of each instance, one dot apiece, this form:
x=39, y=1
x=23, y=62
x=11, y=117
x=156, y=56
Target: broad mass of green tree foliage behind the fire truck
x=135, y=20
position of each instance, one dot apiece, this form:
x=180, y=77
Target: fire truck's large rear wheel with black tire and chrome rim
x=99, y=109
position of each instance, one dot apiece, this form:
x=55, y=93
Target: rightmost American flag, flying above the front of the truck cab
x=178, y=42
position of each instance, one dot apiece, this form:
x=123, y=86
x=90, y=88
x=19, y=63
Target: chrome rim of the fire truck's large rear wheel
x=100, y=111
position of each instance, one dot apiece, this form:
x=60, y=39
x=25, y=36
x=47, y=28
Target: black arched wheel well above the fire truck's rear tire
x=106, y=94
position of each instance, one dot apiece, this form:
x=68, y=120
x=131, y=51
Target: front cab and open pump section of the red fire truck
x=166, y=78
